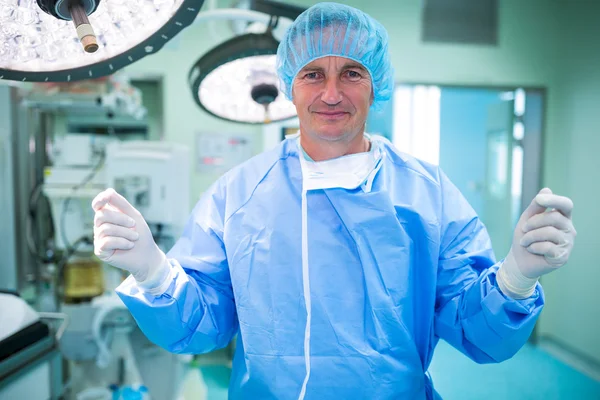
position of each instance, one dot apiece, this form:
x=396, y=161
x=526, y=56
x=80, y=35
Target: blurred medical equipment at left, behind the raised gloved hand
x=74, y=140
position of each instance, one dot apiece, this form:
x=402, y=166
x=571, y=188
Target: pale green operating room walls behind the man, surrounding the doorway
x=542, y=43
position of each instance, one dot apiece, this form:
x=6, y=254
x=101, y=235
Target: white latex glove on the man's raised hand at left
x=123, y=239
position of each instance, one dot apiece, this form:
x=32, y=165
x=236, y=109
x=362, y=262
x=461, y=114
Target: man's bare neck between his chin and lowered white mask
x=321, y=150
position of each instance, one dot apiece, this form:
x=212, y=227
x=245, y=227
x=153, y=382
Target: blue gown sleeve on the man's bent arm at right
x=471, y=313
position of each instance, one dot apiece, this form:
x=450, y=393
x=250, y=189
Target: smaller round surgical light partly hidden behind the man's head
x=237, y=80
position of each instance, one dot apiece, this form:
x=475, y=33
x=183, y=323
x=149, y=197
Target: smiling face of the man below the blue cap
x=332, y=96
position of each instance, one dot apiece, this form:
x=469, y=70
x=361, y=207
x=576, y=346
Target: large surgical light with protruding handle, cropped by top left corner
x=69, y=40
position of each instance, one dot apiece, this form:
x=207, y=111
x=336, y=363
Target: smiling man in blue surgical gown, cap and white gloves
x=339, y=260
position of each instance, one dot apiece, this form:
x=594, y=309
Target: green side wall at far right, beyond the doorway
x=572, y=314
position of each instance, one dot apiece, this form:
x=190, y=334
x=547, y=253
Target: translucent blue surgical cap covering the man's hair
x=331, y=29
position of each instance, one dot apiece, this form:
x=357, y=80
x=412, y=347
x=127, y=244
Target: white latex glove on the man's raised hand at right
x=542, y=243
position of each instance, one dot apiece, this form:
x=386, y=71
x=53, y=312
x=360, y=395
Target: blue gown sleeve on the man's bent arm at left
x=196, y=313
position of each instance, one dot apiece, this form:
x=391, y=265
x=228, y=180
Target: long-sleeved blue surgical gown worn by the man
x=391, y=271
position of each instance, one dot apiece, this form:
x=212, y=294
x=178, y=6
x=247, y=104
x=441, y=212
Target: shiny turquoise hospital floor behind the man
x=531, y=374
